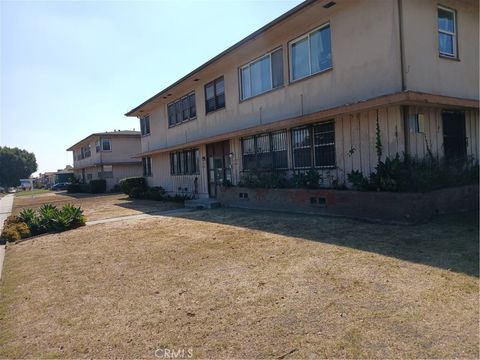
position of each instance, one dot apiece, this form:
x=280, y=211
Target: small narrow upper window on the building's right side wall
x=447, y=28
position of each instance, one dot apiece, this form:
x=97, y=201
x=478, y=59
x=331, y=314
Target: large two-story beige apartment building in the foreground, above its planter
x=306, y=91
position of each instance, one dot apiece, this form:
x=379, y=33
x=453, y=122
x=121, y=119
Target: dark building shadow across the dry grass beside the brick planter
x=449, y=241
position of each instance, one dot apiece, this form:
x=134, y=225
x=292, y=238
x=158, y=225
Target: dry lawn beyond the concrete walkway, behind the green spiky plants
x=95, y=207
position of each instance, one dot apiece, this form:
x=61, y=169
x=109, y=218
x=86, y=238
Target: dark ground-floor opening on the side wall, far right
x=454, y=138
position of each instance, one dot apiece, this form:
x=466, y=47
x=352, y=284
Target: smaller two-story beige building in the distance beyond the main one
x=107, y=155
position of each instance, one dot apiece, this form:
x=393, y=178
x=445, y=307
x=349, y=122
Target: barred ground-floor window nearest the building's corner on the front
x=314, y=146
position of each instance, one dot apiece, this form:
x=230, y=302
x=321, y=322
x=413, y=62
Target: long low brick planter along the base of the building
x=373, y=206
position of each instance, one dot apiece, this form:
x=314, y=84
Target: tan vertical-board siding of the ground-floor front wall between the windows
x=355, y=140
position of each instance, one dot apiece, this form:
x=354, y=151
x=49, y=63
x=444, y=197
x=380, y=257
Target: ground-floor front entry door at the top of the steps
x=219, y=169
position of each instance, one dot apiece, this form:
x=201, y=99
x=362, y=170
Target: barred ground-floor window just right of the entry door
x=265, y=151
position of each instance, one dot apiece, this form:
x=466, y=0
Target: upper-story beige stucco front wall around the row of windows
x=366, y=63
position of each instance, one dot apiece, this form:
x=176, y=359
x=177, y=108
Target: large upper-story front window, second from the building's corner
x=262, y=74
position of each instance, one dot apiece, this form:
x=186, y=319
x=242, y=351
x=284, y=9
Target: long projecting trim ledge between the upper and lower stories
x=399, y=98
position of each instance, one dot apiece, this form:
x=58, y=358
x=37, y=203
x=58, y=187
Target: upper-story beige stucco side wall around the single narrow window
x=425, y=70
